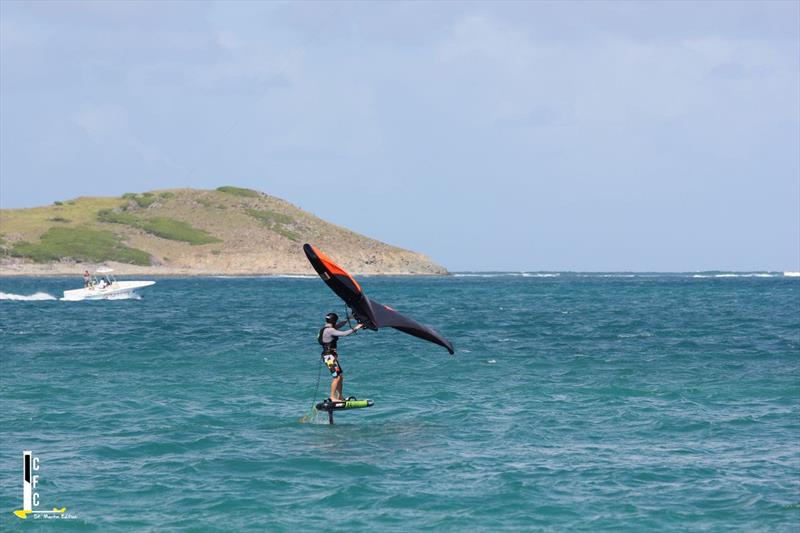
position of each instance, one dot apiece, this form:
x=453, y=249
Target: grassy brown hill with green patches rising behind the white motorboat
x=229, y=230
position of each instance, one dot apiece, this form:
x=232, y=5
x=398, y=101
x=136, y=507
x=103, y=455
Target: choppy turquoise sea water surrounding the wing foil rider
x=574, y=402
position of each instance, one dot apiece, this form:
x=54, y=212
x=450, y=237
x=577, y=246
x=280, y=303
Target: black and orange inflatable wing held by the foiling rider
x=372, y=314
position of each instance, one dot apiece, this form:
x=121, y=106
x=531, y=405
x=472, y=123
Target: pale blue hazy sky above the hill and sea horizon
x=588, y=136
